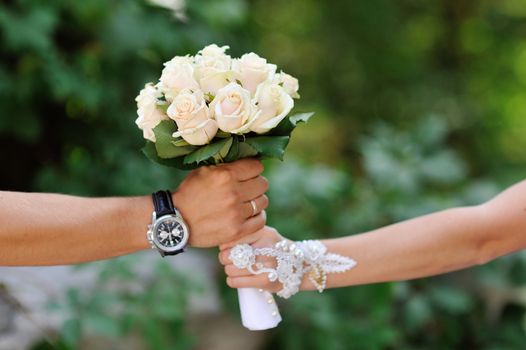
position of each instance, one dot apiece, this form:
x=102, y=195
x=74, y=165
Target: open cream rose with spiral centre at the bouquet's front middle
x=233, y=109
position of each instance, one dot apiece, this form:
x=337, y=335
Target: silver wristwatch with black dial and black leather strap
x=168, y=232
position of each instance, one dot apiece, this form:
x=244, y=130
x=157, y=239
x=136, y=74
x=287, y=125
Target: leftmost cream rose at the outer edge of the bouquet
x=149, y=115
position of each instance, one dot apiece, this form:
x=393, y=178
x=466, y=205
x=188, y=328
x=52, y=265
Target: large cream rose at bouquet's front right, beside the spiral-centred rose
x=274, y=104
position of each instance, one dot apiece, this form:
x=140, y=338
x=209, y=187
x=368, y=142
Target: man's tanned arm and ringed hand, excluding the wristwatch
x=53, y=229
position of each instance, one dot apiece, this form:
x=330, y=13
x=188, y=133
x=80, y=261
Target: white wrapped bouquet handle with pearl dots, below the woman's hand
x=259, y=310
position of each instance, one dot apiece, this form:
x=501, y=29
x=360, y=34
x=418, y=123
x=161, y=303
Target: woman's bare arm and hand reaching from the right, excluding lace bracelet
x=428, y=245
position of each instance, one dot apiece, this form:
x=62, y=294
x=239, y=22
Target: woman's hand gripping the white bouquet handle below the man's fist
x=241, y=278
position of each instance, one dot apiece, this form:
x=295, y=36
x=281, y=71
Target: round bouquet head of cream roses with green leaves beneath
x=211, y=108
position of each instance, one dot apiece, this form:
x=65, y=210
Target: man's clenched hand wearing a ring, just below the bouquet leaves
x=215, y=202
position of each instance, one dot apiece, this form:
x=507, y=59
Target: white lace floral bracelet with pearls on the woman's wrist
x=294, y=260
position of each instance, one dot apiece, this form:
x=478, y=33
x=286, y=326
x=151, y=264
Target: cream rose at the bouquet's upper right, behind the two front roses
x=253, y=70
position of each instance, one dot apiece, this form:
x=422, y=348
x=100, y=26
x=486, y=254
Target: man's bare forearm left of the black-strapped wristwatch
x=50, y=229
